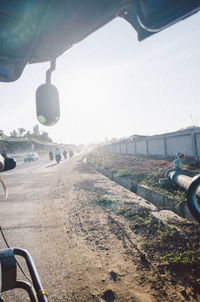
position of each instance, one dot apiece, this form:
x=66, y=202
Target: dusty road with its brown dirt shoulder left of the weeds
x=83, y=251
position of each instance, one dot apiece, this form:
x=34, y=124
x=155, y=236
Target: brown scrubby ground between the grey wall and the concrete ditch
x=142, y=170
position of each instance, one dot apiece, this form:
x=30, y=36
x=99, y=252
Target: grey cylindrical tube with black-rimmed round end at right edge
x=191, y=185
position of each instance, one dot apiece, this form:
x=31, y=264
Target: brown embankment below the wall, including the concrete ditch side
x=141, y=176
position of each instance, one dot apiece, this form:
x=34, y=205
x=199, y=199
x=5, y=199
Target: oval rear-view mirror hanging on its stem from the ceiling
x=47, y=100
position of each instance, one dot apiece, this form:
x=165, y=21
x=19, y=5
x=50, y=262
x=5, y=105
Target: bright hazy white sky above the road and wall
x=112, y=85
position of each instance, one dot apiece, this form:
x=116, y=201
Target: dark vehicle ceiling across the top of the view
x=33, y=31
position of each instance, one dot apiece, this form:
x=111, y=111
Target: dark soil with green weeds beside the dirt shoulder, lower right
x=173, y=248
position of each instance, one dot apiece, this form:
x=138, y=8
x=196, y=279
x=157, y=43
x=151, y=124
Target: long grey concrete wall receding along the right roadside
x=167, y=144
